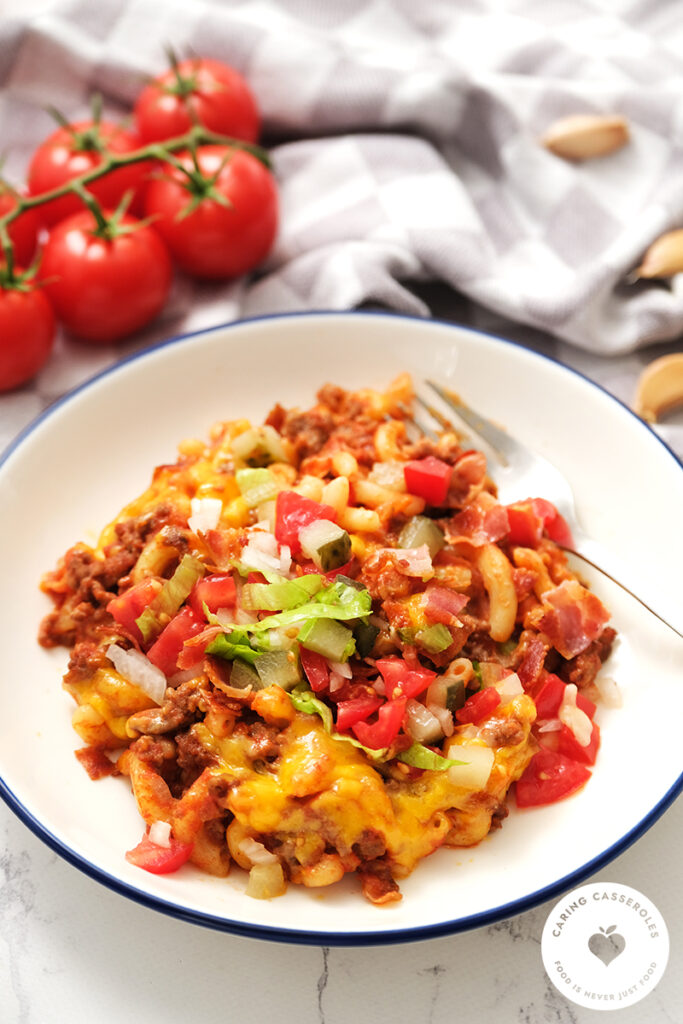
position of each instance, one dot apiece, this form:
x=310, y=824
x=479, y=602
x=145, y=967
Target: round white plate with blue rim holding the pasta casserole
x=93, y=452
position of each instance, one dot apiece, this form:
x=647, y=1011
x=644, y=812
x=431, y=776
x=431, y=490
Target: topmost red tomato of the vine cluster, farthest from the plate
x=198, y=92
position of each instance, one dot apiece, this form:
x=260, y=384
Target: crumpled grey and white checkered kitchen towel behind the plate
x=406, y=141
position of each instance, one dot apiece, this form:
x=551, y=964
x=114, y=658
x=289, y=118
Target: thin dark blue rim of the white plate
x=367, y=938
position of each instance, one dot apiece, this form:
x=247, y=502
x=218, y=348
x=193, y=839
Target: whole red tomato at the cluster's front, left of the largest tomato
x=103, y=289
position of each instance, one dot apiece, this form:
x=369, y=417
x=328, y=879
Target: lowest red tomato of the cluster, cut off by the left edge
x=27, y=333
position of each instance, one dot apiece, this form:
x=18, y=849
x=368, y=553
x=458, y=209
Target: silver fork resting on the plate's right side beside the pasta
x=521, y=473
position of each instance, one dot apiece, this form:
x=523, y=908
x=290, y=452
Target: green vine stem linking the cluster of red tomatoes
x=197, y=136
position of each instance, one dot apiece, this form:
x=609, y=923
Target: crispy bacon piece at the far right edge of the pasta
x=574, y=618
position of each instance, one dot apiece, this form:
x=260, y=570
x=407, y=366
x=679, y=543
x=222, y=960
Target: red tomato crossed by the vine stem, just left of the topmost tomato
x=71, y=152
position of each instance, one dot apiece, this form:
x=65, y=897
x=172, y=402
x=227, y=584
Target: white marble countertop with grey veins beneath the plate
x=71, y=950
